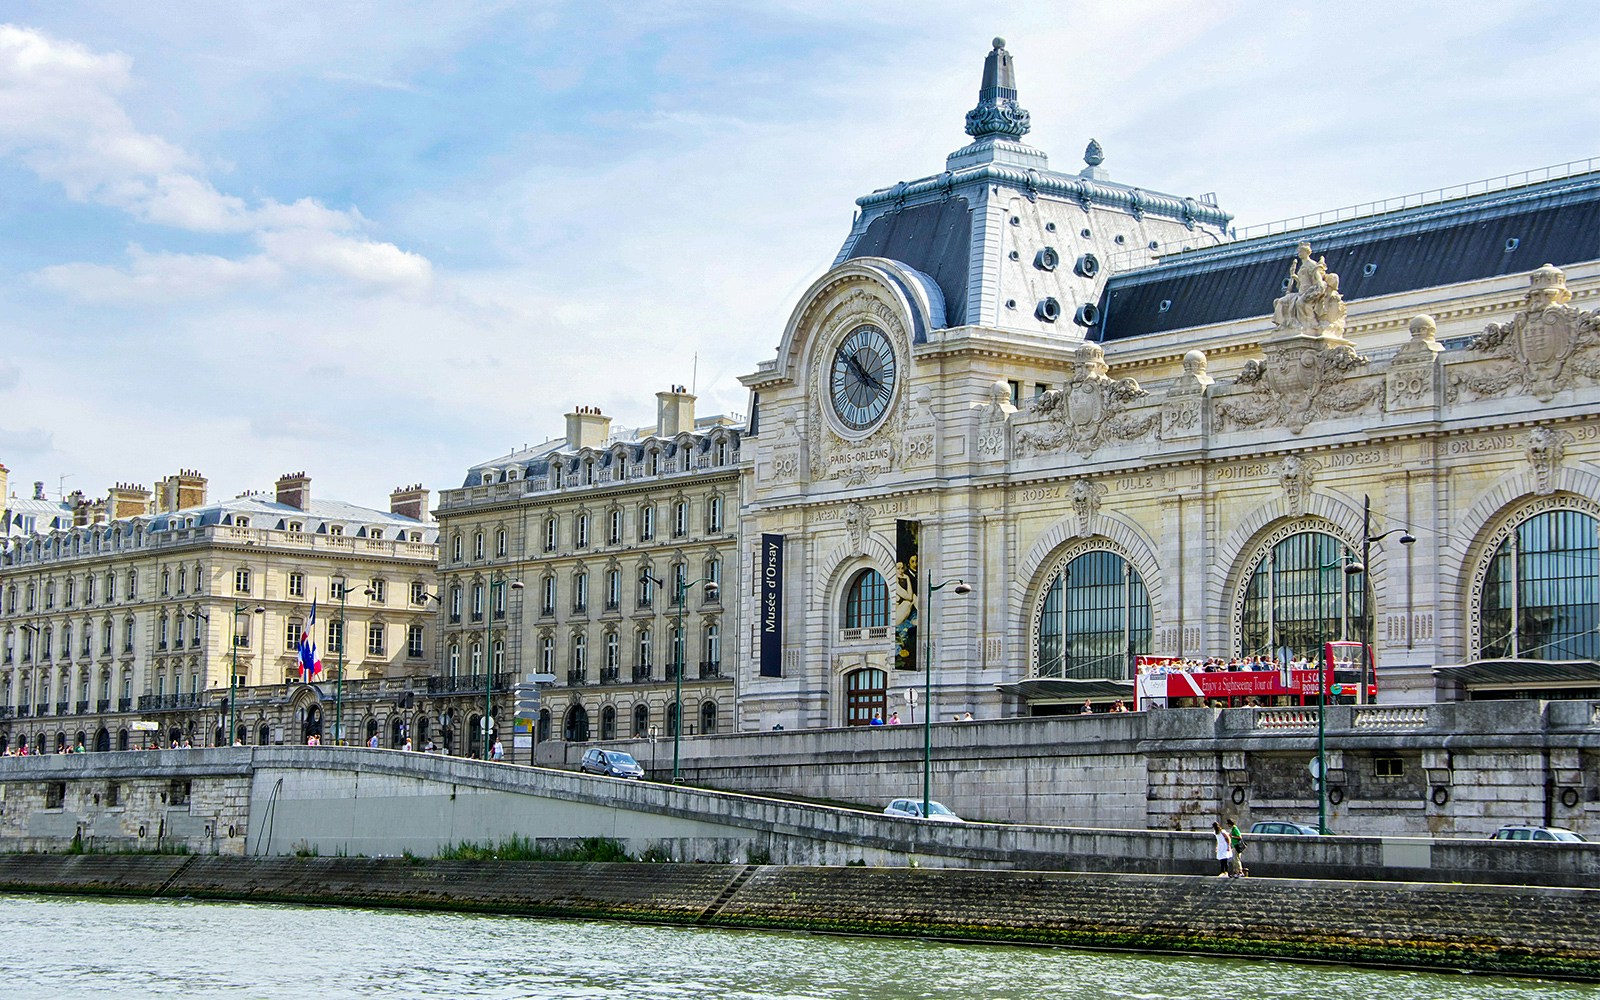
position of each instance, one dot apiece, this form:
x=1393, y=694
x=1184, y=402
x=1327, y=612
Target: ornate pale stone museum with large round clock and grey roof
x=1124, y=428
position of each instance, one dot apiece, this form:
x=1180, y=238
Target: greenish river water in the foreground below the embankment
x=62, y=948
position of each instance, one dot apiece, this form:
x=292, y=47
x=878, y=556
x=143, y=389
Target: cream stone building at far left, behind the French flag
x=138, y=609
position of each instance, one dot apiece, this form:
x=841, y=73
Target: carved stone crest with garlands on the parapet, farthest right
x=1546, y=348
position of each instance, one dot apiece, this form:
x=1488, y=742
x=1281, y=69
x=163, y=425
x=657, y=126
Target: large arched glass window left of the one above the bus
x=1095, y=617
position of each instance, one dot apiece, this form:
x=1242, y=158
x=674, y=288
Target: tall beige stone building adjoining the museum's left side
x=554, y=546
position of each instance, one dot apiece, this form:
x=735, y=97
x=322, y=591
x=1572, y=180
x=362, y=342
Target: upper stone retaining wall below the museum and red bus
x=1444, y=770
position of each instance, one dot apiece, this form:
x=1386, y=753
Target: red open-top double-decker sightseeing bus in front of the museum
x=1346, y=673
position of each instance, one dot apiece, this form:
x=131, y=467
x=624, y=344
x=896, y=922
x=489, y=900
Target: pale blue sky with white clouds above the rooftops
x=382, y=242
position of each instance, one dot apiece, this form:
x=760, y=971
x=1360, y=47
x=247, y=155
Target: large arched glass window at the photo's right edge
x=1542, y=594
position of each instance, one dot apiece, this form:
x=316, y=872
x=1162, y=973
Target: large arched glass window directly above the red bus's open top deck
x=1300, y=598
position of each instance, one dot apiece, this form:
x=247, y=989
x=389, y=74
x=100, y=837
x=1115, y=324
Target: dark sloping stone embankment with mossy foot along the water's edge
x=1452, y=927
